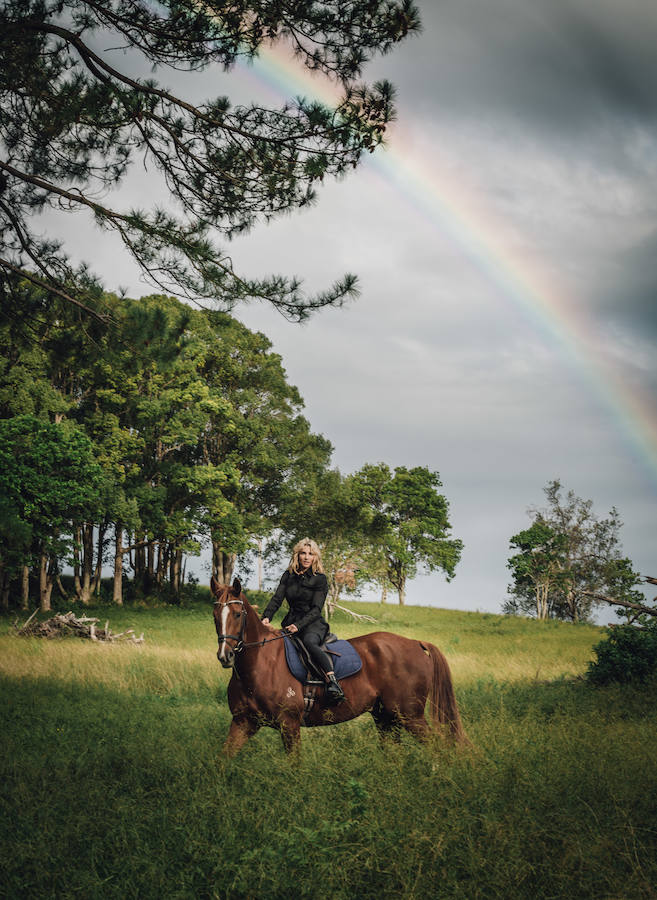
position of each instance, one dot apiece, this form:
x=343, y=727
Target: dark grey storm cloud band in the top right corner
x=567, y=64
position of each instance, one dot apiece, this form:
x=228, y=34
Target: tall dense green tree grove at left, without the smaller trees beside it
x=192, y=426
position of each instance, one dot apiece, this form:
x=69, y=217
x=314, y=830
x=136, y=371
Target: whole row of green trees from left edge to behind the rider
x=132, y=443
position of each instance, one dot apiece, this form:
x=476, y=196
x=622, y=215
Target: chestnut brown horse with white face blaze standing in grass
x=397, y=676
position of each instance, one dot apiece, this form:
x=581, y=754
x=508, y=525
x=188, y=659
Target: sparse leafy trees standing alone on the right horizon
x=567, y=558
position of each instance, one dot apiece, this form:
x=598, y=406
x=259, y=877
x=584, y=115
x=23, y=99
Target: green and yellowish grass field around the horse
x=113, y=785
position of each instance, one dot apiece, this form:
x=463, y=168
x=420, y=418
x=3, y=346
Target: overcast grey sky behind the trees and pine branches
x=506, y=247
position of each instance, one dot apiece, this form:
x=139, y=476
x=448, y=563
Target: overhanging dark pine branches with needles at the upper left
x=75, y=117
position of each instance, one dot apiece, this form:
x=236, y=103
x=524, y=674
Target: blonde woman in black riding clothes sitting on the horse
x=305, y=587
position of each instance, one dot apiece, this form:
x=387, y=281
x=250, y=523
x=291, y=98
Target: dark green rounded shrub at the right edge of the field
x=629, y=654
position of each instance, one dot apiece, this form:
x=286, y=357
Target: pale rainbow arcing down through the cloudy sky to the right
x=530, y=286
